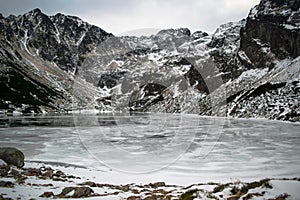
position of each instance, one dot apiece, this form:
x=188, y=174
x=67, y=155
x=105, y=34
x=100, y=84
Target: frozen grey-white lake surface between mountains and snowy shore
x=143, y=148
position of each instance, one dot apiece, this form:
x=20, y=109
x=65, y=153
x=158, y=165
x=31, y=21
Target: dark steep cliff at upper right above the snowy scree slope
x=272, y=32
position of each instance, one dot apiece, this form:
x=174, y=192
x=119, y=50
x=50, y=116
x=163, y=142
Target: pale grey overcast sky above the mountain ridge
x=120, y=16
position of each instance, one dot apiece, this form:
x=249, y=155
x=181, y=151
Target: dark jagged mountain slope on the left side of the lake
x=39, y=57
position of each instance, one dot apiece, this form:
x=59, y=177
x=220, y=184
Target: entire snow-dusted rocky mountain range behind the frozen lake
x=248, y=68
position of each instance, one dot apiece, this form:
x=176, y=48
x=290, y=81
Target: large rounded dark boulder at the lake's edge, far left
x=12, y=156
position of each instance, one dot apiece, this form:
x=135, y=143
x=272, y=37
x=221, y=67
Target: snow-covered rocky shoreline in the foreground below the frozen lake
x=43, y=181
